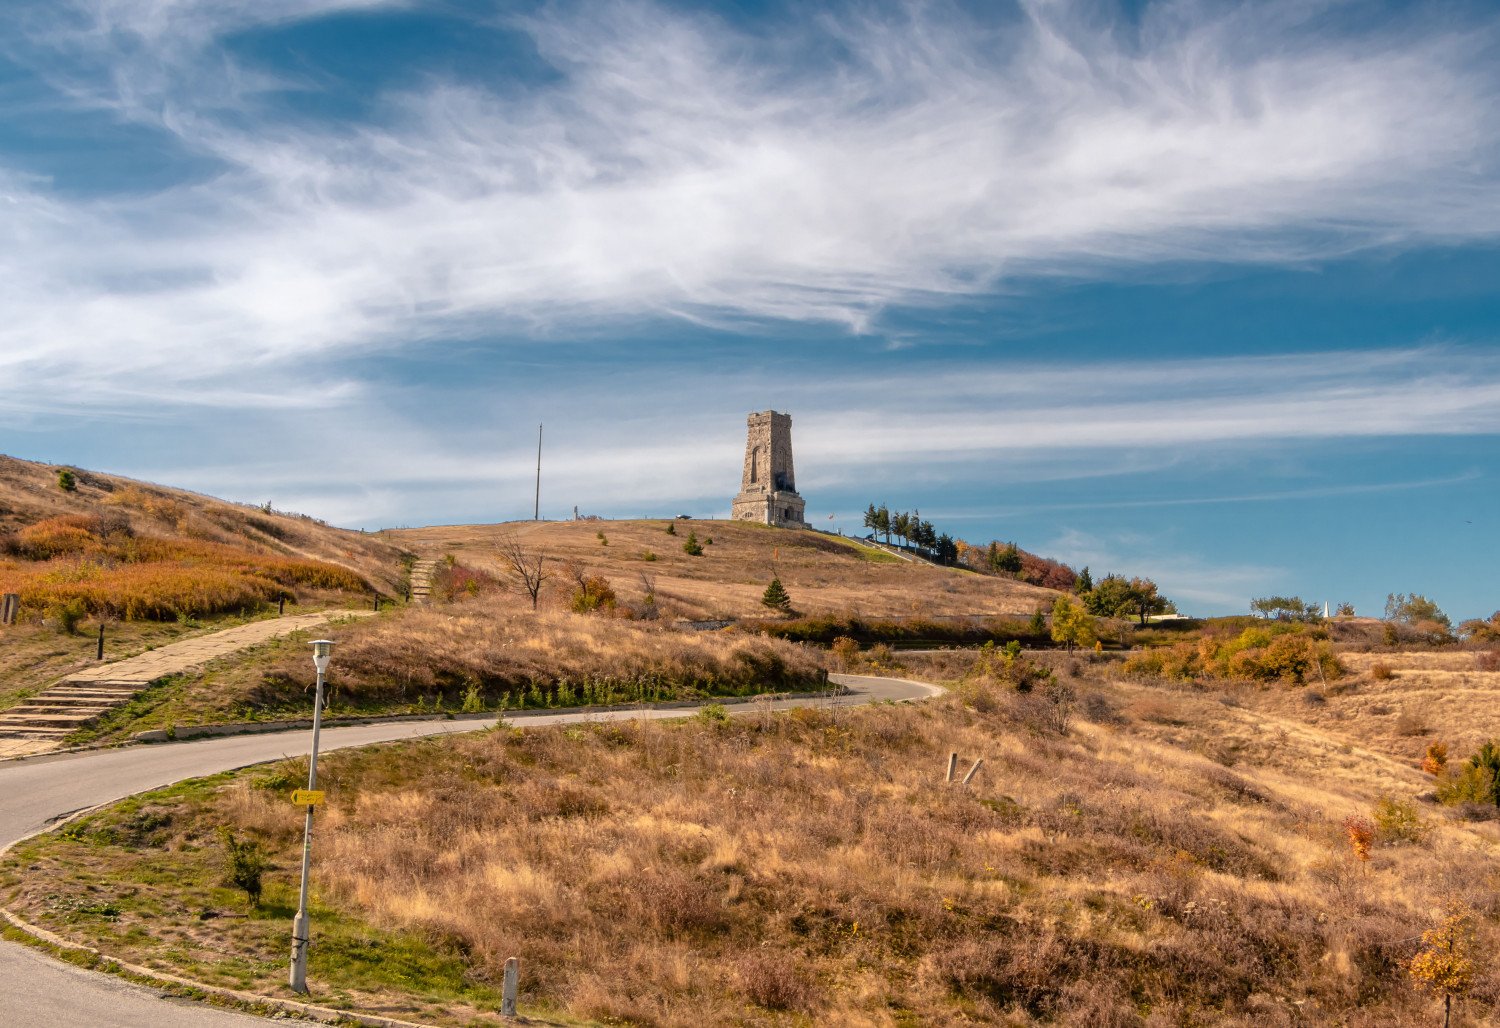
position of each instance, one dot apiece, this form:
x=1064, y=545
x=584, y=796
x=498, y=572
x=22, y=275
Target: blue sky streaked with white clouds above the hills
x=1204, y=292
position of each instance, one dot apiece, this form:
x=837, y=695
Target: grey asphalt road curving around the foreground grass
x=40, y=993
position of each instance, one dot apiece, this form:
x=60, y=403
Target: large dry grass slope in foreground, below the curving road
x=815, y=868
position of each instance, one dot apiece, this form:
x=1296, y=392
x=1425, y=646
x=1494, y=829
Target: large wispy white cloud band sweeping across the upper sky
x=679, y=167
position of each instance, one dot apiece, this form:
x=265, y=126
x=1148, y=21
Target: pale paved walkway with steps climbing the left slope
x=44, y=721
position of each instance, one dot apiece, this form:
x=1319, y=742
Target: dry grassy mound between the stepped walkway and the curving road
x=475, y=657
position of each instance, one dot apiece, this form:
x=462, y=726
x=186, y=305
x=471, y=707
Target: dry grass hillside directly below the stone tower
x=823, y=574
